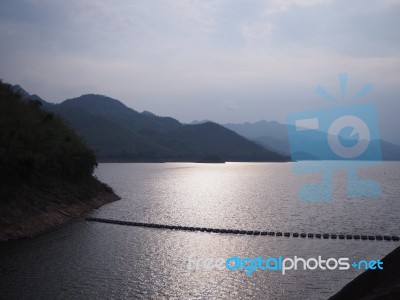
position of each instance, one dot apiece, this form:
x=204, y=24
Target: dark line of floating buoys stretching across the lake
x=252, y=232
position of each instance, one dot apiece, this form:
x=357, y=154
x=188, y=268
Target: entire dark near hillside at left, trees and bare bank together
x=45, y=169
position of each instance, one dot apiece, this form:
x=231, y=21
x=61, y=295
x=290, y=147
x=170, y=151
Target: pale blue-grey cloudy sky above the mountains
x=223, y=60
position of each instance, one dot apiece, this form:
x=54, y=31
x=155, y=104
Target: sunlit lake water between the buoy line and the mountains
x=247, y=195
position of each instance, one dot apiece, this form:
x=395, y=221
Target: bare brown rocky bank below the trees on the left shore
x=27, y=217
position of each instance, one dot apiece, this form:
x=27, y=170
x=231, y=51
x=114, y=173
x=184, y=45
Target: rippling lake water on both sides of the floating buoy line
x=87, y=260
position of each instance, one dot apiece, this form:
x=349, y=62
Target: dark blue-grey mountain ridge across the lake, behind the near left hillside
x=118, y=133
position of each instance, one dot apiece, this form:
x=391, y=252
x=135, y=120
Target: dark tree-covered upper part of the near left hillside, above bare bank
x=36, y=143
